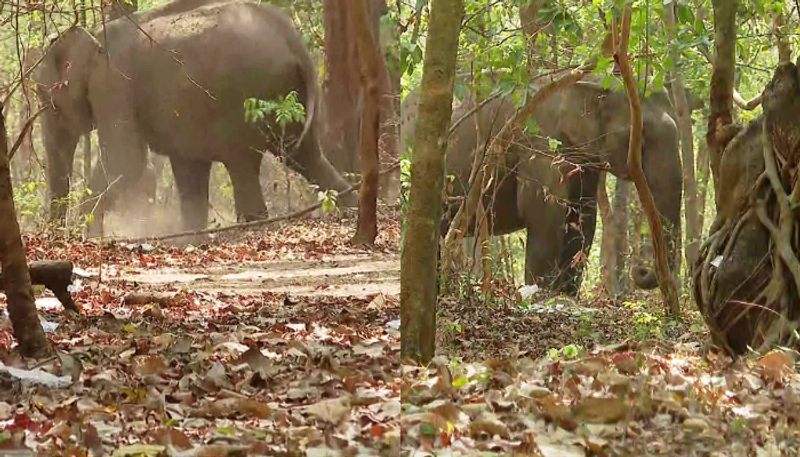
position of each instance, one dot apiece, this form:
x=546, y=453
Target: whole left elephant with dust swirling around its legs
x=175, y=79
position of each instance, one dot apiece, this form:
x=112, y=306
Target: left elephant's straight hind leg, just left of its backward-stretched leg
x=247, y=194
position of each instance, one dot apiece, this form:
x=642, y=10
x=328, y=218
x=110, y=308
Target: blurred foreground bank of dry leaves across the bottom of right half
x=627, y=400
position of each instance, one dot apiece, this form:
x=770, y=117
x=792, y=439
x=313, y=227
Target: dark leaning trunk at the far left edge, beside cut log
x=16, y=279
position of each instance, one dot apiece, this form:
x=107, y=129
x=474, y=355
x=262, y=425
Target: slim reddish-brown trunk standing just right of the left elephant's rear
x=369, y=56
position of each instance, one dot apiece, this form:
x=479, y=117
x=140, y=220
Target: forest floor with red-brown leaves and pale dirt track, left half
x=283, y=341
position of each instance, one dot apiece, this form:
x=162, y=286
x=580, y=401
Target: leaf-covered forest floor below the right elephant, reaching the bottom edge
x=552, y=377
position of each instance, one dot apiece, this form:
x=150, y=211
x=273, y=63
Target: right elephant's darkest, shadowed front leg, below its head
x=579, y=232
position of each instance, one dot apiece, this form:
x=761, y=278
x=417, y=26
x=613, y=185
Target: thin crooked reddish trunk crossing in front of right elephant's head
x=666, y=280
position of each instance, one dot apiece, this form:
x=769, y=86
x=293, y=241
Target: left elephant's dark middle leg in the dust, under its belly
x=191, y=180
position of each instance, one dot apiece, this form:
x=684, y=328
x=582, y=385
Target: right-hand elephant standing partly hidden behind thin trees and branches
x=552, y=194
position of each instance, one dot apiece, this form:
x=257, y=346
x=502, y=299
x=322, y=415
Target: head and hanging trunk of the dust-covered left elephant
x=62, y=87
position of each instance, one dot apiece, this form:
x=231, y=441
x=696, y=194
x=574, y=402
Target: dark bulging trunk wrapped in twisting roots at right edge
x=758, y=308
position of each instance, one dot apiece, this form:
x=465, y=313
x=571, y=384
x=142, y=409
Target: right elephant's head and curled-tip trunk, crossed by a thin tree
x=599, y=120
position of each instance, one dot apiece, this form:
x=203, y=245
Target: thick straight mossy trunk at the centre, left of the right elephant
x=419, y=272
